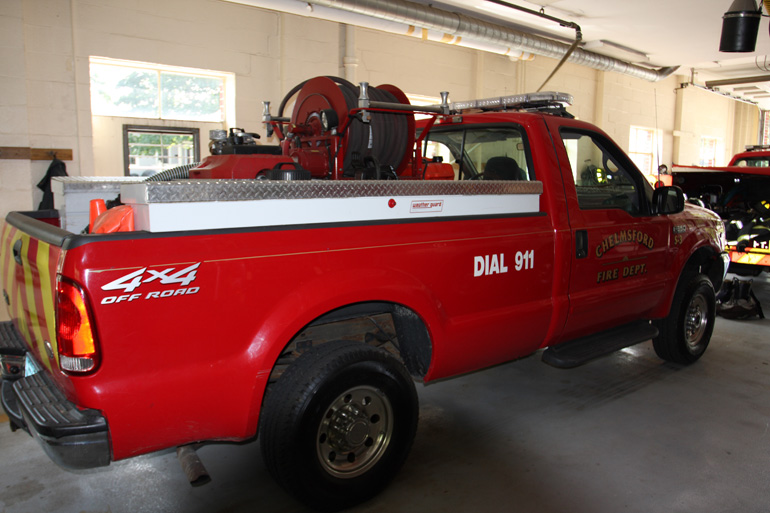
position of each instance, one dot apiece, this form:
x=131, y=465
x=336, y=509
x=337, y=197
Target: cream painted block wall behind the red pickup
x=45, y=46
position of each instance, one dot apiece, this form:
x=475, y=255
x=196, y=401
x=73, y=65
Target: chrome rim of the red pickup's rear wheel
x=355, y=432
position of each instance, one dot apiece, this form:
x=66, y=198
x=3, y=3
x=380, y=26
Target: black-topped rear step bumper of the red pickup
x=73, y=438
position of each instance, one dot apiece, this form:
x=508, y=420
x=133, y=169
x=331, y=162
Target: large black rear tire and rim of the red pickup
x=338, y=424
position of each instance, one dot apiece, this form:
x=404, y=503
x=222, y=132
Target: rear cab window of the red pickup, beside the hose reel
x=493, y=153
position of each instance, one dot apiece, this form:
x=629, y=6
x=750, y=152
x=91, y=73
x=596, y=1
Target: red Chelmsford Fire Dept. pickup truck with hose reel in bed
x=296, y=293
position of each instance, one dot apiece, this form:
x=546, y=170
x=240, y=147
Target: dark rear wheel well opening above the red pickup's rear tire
x=390, y=326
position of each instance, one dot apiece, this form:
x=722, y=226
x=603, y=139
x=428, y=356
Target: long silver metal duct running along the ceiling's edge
x=474, y=29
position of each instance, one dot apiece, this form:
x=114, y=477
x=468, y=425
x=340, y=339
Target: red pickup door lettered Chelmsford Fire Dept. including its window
x=620, y=248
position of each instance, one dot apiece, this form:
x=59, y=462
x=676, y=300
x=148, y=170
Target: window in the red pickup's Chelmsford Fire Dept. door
x=602, y=180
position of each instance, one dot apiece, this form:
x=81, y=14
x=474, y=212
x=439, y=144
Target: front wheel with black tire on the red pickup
x=686, y=332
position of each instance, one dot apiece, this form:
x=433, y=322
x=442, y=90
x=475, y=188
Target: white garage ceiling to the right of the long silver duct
x=656, y=33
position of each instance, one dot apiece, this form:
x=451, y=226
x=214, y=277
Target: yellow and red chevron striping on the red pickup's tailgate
x=31, y=288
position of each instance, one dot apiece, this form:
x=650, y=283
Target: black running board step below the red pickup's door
x=582, y=350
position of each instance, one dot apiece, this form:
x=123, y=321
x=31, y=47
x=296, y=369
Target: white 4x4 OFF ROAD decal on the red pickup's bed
x=132, y=281
